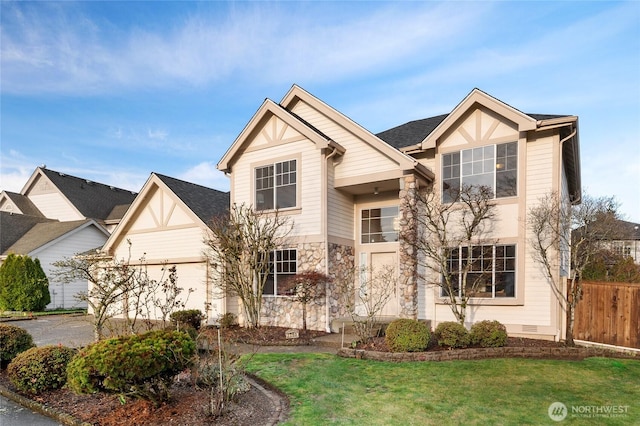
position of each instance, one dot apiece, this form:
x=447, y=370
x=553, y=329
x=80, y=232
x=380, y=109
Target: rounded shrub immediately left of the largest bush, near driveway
x=39, y=369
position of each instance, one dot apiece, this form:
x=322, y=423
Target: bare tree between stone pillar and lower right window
x=452, y=240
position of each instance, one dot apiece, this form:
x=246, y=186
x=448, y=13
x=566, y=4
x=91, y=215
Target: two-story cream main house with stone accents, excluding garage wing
x=347, y=191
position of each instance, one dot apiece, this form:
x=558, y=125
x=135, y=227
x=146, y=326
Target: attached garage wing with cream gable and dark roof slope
x=165, y=226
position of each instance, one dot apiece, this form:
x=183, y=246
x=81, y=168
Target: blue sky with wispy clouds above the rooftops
x=112, y=91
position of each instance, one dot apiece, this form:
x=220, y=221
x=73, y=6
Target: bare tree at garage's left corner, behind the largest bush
x=109, y=283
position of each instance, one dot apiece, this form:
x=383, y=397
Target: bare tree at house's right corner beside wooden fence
x=565, y=238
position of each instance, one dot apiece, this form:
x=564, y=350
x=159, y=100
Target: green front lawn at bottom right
x=326, y=389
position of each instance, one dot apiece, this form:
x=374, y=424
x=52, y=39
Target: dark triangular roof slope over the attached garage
x=204, y=202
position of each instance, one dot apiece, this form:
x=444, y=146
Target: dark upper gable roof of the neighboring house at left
x=92, y=199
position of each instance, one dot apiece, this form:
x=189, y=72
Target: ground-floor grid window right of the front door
x=491, y=270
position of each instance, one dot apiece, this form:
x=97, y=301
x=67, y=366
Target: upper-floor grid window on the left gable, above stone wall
x=276, y=185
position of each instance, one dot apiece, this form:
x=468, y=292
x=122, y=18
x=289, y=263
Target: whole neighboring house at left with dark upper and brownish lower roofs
x=57, y=215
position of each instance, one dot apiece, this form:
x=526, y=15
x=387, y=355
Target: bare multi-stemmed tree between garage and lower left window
x=238, y=247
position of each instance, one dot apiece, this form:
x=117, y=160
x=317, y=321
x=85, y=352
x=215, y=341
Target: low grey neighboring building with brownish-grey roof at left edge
x=50, y=241
